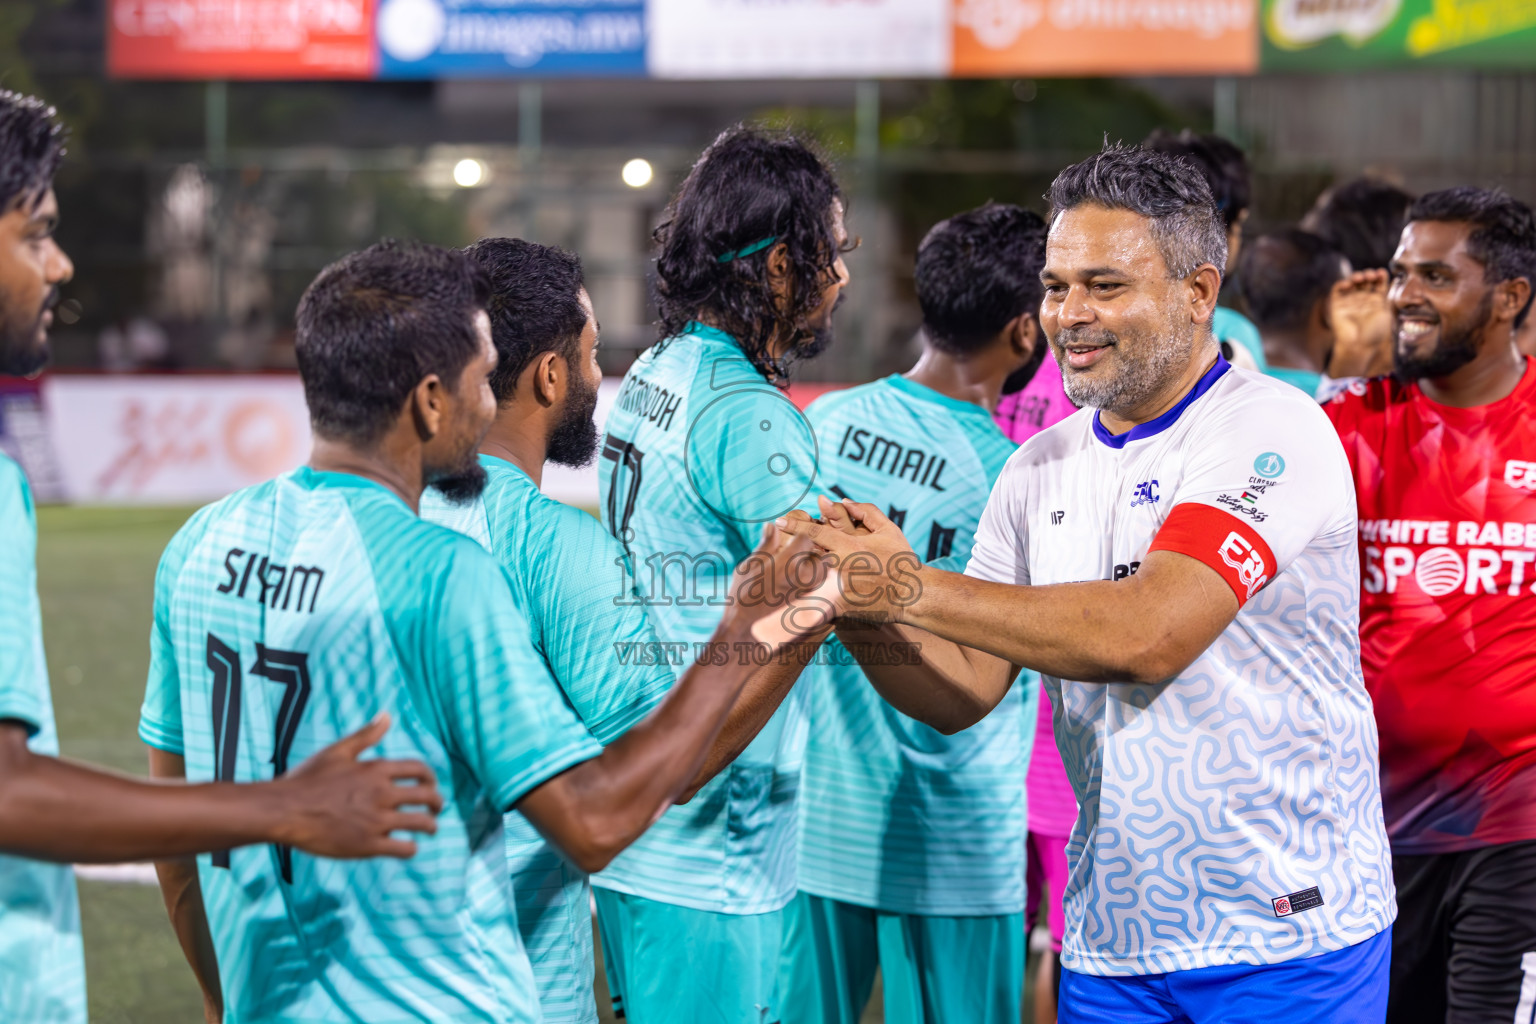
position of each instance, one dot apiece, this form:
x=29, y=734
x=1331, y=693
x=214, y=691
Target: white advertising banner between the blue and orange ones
x=798, y=39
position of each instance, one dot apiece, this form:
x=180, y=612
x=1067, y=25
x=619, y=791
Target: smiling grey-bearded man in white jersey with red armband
x=1179, y=563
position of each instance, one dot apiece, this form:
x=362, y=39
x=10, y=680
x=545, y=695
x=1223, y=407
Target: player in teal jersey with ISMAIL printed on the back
x=913, y=842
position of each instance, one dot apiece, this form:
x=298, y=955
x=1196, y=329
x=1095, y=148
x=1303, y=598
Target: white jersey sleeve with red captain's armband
x=1265, y=484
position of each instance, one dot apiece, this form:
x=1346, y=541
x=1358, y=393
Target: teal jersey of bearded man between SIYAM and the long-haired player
x=569, y=580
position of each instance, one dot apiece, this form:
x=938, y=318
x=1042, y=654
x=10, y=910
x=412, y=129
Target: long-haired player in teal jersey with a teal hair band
x=701, y=451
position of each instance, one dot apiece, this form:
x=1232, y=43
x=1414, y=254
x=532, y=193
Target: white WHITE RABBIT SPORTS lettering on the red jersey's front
x=1440, y=558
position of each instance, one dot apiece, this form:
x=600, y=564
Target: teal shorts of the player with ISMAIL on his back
x=935, y=969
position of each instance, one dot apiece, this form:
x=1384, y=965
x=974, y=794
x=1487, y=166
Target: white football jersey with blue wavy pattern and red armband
x=1233, y=814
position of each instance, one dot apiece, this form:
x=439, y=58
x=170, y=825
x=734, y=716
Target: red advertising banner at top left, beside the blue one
x=240, y=39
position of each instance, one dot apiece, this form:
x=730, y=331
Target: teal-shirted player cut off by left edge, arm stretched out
x=61, y=811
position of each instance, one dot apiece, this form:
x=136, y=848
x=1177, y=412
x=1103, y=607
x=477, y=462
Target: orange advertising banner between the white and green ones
x=1105, y=38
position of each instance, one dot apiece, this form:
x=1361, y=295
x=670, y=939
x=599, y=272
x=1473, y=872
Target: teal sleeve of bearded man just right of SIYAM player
x=592, y=630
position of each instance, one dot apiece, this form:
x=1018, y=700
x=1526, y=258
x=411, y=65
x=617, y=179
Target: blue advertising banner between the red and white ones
x=446, y=39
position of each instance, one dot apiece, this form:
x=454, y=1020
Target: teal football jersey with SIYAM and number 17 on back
x=290, y=615
